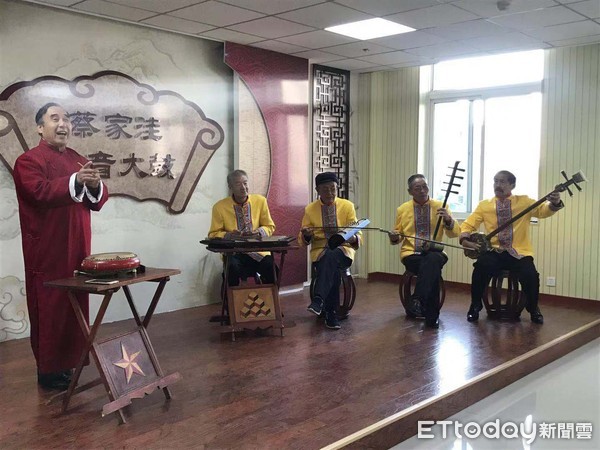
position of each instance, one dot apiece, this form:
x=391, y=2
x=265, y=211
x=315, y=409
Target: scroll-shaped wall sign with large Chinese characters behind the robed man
x=147, y=144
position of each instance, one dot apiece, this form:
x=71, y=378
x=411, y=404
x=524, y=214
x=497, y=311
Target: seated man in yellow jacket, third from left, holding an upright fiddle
x=418, y=217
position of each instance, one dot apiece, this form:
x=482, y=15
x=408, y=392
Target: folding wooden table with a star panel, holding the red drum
x=127, y=363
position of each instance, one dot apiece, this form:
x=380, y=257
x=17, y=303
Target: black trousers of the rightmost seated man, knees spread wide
x=492, y=262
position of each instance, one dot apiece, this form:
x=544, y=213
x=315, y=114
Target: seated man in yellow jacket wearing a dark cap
x=321, y=220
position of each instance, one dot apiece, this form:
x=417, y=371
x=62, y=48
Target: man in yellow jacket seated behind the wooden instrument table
x=243, y=215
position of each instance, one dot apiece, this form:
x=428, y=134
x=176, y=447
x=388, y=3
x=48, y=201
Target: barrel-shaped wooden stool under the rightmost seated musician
x=504, y=304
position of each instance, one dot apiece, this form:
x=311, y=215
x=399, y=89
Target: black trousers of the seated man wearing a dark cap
x=327, y=284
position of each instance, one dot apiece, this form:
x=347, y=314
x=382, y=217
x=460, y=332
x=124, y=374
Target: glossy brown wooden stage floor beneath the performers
x=306, y=390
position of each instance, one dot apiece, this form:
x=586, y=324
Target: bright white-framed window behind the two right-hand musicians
x=486, y=113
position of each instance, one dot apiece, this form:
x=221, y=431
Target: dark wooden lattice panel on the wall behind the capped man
x=331, y=124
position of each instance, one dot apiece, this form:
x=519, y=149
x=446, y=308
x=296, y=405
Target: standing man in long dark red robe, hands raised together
x=56, y=189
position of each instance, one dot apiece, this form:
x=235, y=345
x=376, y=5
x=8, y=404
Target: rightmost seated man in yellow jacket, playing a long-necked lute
x=512, y=248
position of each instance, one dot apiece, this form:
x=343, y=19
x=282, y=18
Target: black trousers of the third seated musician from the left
x=428, y=266
